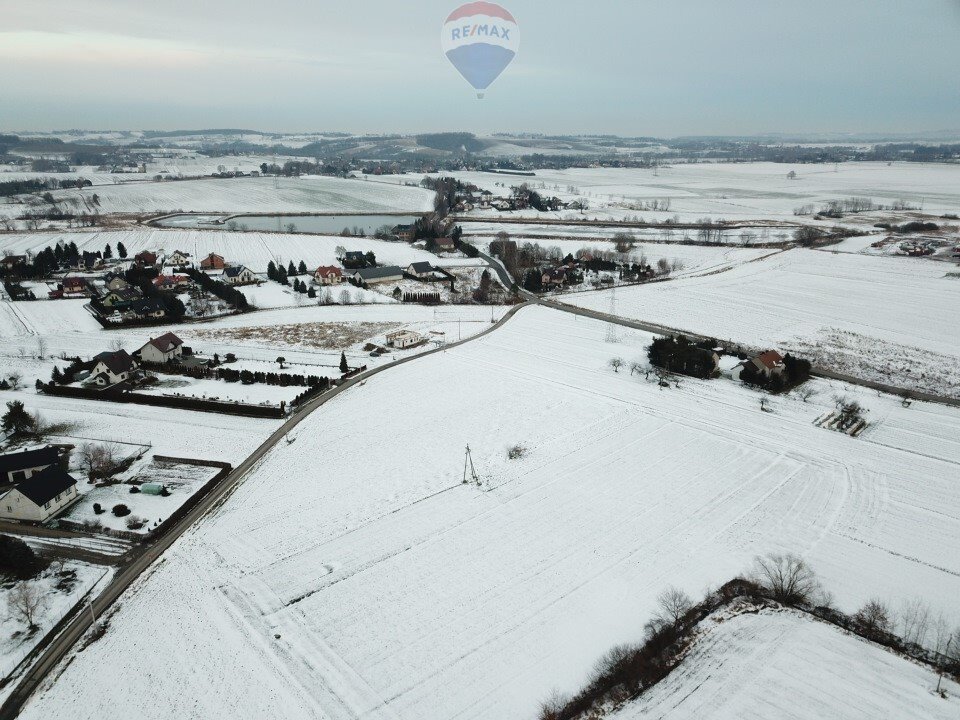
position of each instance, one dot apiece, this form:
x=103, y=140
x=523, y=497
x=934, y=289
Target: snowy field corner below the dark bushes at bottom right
x=786, y=666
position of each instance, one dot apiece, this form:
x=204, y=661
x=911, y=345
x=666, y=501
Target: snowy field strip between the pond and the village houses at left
x=253, y=249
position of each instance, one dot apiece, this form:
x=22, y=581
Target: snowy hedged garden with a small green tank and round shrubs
x=146, y=511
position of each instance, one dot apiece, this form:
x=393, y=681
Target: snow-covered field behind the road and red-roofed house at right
x=884, y=318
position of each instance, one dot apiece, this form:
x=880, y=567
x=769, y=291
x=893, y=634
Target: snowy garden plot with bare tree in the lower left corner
x=61, y=590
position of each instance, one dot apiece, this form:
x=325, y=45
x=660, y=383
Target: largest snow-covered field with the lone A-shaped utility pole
x=353, y=575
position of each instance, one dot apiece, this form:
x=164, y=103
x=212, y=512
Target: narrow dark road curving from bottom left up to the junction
x=129, y=573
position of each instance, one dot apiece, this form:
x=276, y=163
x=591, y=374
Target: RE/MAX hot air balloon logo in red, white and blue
x=480, y=39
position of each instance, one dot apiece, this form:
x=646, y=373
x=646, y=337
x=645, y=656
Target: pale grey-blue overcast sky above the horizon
x=632, y=67
